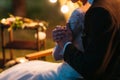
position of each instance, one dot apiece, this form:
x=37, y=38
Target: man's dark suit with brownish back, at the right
x=100, y=21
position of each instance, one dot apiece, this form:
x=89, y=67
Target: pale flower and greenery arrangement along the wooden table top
x=19, y=22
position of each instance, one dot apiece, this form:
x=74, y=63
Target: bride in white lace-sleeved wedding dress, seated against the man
x=42, y=70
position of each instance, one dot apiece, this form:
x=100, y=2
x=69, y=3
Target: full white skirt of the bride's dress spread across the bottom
x=39, y=70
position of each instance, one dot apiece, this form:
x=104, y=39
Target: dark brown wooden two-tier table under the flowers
x=20, y=44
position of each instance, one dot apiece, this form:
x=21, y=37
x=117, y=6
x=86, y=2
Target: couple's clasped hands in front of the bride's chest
x=61, y=35
